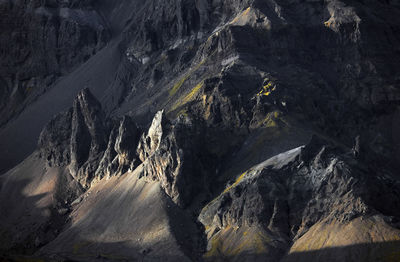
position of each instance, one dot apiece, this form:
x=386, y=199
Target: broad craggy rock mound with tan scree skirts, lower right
x=287, y=195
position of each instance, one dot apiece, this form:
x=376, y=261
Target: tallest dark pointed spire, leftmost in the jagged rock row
x=77, y=138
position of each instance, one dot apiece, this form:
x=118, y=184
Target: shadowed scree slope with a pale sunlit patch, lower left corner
x=32, y=213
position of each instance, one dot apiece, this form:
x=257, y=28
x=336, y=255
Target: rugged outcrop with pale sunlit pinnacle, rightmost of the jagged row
x=168, y=153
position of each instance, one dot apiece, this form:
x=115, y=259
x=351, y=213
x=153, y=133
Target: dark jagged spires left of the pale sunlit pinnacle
x=80, y=138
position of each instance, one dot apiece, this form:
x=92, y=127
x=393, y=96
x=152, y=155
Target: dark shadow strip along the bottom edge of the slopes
x=373, y=252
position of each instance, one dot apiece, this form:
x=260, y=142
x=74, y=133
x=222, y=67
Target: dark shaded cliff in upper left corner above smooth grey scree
x=48, y=39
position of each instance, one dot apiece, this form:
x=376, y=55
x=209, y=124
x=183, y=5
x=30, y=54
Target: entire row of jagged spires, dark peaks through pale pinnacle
x=165, y=151
